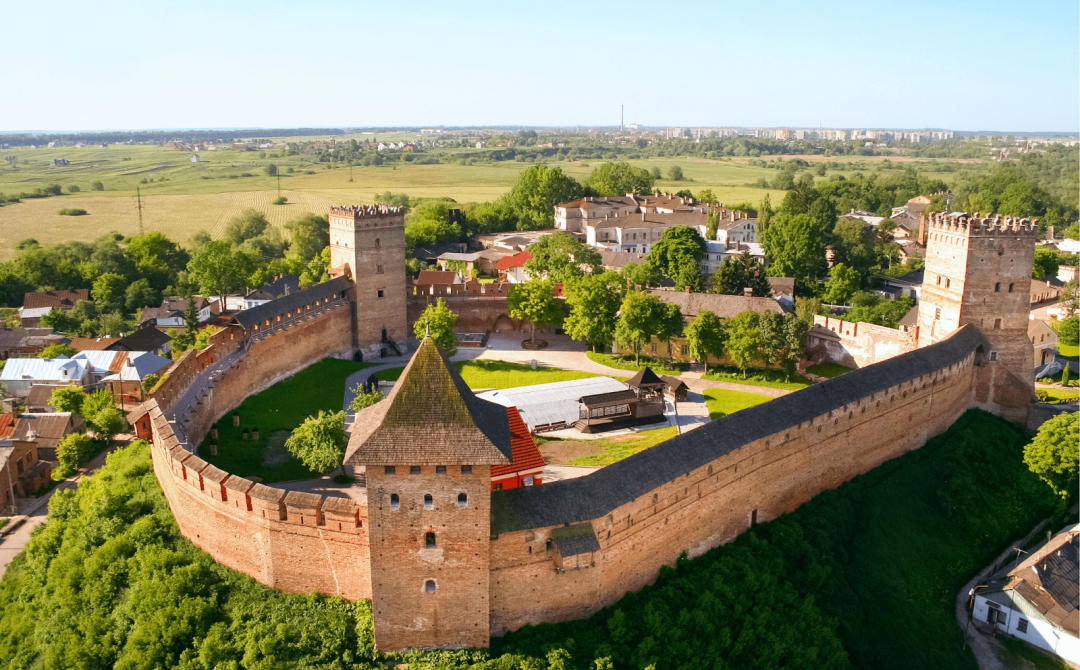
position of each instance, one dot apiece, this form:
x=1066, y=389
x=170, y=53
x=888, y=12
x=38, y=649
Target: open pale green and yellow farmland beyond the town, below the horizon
x=181, y=198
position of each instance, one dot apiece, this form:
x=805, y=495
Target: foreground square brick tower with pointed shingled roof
x=428, y=449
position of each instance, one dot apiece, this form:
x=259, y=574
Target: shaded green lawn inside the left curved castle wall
x=281, y=408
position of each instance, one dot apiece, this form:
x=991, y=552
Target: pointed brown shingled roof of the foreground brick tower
x=431, y=418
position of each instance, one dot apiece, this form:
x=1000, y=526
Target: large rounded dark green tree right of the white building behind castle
x=795, y=246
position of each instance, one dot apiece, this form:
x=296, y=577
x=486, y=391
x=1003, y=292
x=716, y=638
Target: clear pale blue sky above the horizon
x=989, y=65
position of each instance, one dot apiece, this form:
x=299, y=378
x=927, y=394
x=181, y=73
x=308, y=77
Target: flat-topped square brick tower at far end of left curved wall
x=369, y=245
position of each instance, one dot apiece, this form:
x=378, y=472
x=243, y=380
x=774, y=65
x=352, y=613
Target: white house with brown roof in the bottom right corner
x=1039, y=600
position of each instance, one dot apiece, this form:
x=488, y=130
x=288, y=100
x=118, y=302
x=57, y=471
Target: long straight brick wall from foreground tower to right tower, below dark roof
x=714, y=504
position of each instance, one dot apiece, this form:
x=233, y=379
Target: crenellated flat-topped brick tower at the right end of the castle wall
x=979, y=272
